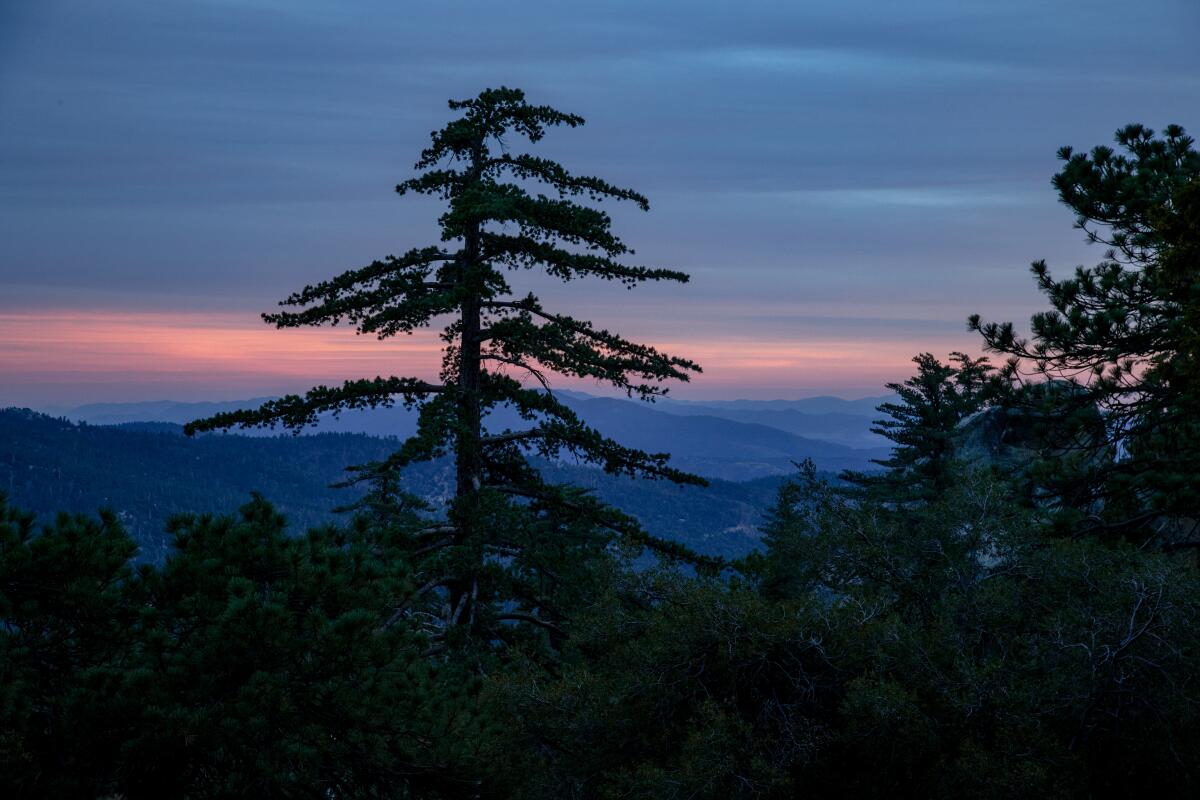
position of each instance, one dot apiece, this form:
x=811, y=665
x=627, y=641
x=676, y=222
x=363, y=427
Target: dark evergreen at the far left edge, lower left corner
x=68, y=629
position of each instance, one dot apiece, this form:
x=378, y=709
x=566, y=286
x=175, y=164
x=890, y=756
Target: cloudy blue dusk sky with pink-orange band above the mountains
x=847, y=181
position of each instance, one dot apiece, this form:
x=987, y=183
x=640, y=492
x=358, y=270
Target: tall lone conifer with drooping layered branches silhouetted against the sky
x=508, y=534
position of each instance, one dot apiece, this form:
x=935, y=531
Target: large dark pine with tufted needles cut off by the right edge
x=1111, y=369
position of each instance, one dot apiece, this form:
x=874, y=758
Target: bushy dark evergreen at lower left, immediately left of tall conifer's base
x=268, y=667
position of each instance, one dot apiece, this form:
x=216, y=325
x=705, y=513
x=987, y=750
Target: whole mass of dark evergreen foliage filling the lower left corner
x=253, y=663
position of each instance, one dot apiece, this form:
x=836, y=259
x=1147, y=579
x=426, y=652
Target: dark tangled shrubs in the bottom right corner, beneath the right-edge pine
x=973, y=645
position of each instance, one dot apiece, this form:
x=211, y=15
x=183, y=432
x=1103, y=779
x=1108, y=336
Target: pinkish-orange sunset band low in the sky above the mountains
x=237, y=351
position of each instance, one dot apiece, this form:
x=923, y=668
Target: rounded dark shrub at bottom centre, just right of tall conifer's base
x=676, y=689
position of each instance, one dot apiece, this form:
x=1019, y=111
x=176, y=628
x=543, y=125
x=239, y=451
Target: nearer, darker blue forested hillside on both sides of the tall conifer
x=149, y=472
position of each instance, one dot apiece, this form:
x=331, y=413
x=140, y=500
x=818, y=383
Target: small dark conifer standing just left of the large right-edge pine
x=925, y=429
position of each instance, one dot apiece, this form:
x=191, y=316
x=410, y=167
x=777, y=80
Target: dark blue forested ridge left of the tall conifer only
x=149, y=472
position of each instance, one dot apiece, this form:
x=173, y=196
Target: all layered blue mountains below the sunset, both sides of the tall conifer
x=134, y=459
